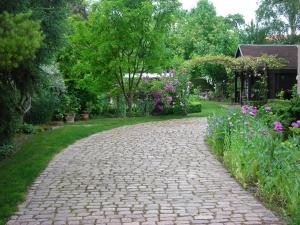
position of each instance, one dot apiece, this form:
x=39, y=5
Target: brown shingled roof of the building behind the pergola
x=288, y=52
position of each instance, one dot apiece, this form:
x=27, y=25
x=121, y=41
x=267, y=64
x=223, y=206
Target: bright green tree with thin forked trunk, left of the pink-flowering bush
x=124, y=39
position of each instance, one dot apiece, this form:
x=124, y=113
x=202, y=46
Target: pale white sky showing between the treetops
x=224, y=7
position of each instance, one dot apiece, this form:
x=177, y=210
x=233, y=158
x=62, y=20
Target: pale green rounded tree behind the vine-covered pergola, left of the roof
x=203, y=32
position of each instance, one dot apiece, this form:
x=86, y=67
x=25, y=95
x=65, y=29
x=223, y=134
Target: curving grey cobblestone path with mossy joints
x=148, y=174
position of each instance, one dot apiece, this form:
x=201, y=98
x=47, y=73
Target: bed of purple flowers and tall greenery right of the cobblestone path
x=262, y=153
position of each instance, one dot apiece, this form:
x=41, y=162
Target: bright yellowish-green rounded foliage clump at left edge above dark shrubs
x=20, y=37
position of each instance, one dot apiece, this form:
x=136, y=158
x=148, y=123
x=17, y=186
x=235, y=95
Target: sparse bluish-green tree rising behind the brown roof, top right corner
x=281, y=18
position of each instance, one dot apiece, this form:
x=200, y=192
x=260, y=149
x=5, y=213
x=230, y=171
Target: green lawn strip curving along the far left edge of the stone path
x=18, y=172
